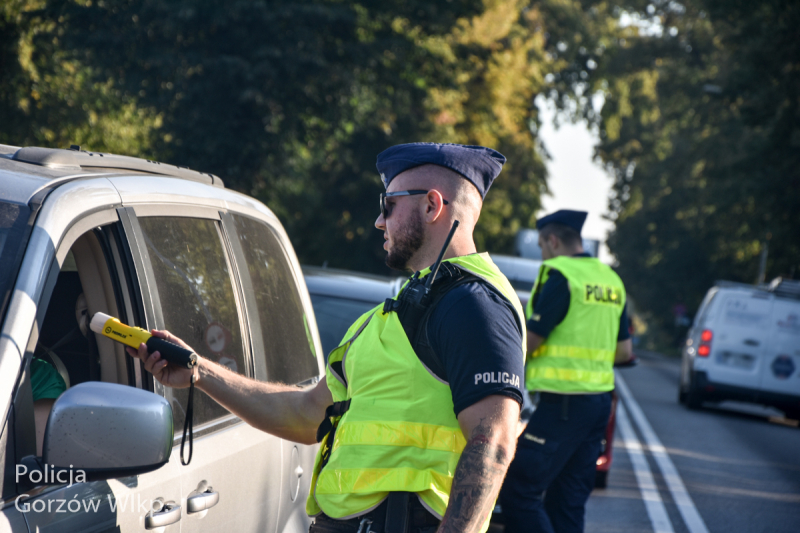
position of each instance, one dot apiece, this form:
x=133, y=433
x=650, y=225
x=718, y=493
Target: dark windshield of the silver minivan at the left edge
x=13, y=225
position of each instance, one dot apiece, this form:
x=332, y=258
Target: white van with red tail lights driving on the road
x=745, y=345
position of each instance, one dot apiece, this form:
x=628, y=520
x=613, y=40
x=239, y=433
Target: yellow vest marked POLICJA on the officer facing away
x=578, y=355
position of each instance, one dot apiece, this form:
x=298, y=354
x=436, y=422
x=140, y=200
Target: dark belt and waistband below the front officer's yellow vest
x=401, y=512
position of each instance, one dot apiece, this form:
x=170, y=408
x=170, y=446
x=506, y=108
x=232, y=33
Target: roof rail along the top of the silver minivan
x=76, y=158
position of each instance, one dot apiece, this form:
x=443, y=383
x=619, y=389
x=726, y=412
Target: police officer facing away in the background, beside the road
x=577, y=329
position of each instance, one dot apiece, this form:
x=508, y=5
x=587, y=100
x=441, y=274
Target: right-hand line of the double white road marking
x=692, y=519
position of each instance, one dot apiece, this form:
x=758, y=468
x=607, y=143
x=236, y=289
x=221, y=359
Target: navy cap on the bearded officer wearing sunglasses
x=478, y=164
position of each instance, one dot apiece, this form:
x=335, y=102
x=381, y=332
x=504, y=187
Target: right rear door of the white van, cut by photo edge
x=781, y=362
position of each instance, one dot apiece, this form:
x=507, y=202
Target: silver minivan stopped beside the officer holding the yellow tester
x=159, y=247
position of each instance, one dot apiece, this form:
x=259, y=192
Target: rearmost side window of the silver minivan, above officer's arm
x=288, y=347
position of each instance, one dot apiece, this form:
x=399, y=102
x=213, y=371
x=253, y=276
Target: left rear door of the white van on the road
x=740, y=335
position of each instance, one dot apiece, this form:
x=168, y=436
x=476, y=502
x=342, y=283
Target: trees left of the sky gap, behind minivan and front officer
x=290, y=101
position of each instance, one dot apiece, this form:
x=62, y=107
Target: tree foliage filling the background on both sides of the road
x=291, y=102
